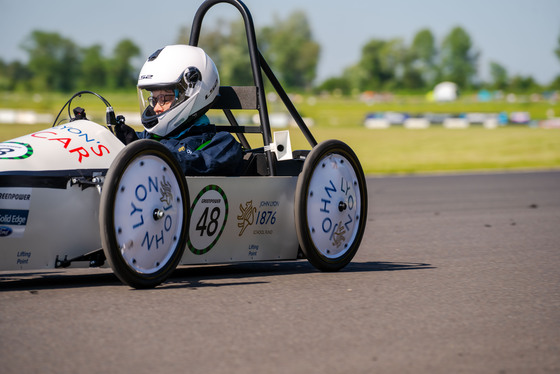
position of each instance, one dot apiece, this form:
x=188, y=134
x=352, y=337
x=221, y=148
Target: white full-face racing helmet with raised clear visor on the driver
x=192, y=76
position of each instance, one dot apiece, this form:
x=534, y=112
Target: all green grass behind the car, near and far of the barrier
x=392, y=151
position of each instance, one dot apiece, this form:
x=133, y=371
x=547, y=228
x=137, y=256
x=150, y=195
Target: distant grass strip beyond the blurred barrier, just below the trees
x=326, y=111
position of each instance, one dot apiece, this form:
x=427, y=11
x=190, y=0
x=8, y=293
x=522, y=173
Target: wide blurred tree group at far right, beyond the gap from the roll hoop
x=389, y=65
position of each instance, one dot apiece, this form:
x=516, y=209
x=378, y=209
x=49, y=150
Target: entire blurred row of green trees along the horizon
x=57, y=63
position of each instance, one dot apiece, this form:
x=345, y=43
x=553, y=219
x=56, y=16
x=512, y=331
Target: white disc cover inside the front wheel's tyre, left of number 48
x=148, y=214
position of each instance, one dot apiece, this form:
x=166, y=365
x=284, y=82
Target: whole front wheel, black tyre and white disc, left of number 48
x=144, y=214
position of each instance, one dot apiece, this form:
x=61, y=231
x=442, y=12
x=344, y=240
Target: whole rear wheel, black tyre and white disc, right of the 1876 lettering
x=331, y=205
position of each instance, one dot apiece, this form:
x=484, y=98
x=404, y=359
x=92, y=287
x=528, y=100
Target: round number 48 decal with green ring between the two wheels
x=209, y=214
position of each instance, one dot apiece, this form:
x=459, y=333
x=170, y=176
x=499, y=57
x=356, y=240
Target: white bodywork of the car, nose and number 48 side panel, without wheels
x=50, y=194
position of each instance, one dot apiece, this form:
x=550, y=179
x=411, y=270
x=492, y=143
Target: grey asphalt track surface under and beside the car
x=456, y=274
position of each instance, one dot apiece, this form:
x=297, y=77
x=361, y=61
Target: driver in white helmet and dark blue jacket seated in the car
x=176, y=87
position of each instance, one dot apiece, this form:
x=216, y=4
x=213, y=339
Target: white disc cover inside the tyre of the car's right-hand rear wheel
x=333, y=206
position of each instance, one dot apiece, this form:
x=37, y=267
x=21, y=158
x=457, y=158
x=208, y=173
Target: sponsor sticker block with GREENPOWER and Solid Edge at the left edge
x=14, y=211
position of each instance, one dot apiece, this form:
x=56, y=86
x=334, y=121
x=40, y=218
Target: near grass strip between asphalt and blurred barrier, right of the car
x=400, y=151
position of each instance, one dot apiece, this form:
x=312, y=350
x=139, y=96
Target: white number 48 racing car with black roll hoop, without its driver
x=75, y=195
